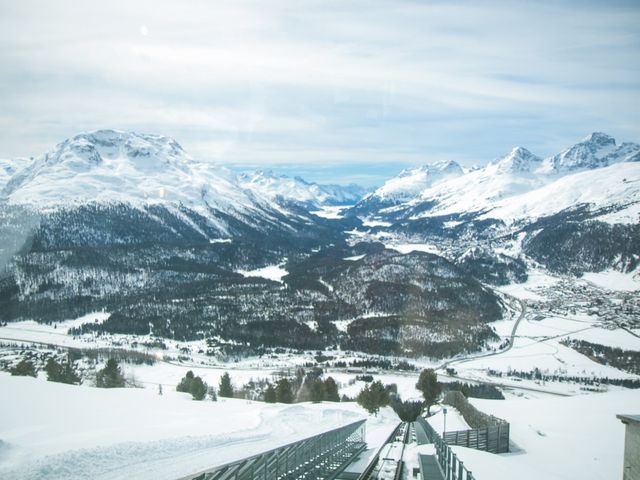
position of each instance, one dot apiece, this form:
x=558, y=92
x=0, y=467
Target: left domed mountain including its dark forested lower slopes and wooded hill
x=132, y=225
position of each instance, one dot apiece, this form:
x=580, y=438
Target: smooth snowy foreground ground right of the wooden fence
x=557, y=438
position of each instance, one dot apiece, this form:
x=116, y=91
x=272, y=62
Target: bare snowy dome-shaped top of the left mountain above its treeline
x=114, y=166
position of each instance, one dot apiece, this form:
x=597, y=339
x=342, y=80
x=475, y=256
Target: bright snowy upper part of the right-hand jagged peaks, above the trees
x=521, y=182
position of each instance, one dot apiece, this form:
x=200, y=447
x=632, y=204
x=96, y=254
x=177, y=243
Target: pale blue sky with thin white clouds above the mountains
x=341, y=91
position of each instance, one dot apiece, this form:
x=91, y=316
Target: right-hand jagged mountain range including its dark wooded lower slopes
x=573, y=212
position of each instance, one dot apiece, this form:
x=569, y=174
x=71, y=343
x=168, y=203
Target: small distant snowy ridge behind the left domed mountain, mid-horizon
x=285, y=189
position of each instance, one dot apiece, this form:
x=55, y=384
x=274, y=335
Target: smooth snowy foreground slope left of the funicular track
x=56, y=431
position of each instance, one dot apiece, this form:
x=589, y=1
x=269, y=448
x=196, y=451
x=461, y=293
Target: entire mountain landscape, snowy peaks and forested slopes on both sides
x=171, y=247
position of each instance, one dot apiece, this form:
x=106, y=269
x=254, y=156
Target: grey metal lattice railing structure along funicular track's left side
x=321, y=457
